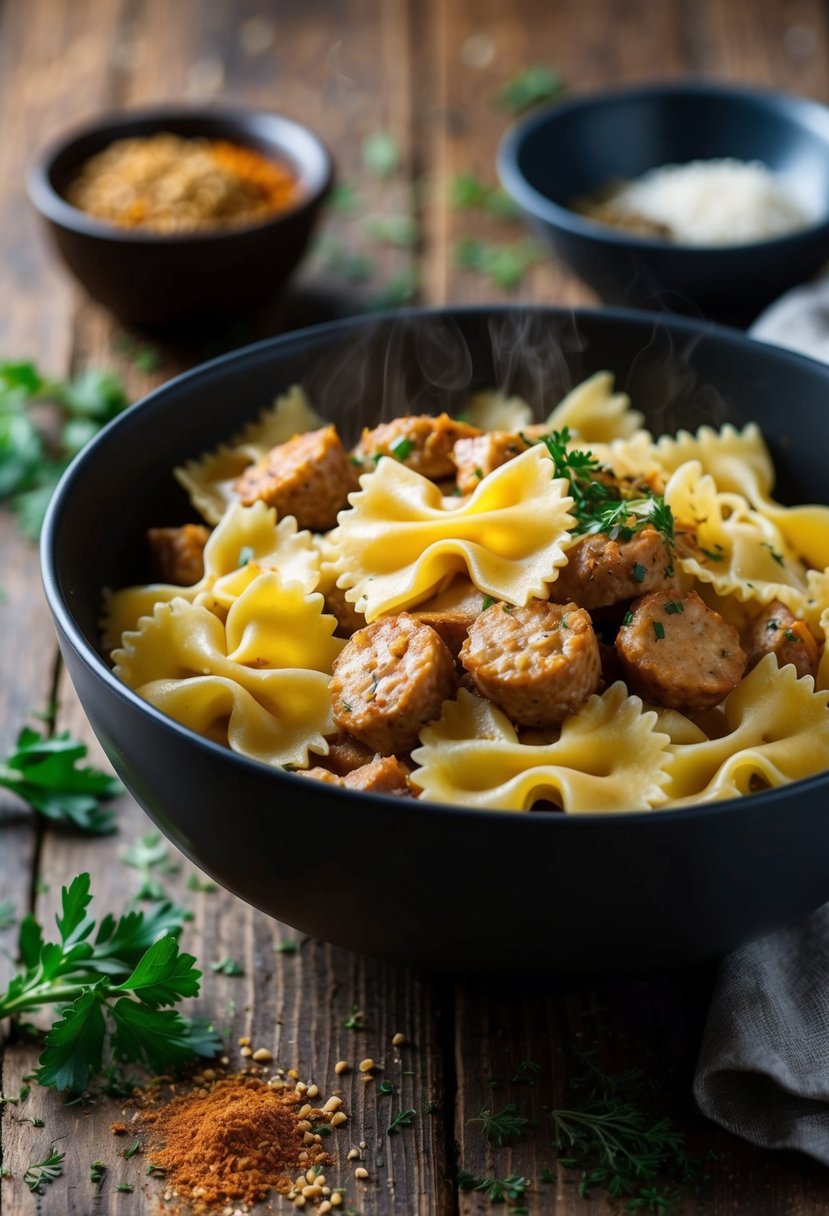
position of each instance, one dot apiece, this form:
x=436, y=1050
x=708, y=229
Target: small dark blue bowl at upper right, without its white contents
x=568, y=151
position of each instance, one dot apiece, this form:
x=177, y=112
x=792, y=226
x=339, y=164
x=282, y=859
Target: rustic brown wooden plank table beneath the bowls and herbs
x=427, y=72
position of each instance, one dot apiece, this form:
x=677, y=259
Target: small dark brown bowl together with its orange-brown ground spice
x=212, y=238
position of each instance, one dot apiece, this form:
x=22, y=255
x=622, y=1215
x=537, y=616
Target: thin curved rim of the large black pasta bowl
x=584, y=821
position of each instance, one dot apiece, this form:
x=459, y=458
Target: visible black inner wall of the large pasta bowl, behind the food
x=680, y=374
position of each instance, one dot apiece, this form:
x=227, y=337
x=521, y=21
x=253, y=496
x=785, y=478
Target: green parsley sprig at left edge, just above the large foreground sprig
x=46, y=773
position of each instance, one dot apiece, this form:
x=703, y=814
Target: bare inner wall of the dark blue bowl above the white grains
x=582, y=147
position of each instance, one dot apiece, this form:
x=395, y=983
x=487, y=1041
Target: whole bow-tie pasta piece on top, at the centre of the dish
x=402, y=539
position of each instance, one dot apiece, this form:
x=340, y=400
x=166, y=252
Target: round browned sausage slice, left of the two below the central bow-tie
x=390, y=680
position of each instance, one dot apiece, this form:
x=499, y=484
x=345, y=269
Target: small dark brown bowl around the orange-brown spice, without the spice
x=157, y=280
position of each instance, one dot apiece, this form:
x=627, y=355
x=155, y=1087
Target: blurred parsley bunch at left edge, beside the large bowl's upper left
x=43, y=425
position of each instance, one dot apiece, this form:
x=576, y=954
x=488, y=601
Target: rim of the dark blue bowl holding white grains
x=804, y=111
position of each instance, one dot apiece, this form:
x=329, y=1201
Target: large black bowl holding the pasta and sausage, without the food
x=431, y=885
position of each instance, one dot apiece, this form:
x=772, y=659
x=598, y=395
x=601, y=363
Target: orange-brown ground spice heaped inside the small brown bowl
x=166, y=183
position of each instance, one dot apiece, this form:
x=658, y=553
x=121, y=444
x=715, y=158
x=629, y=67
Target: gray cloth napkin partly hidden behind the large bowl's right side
x=764, y=1065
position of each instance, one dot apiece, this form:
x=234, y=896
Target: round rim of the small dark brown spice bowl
x=315, y=174
